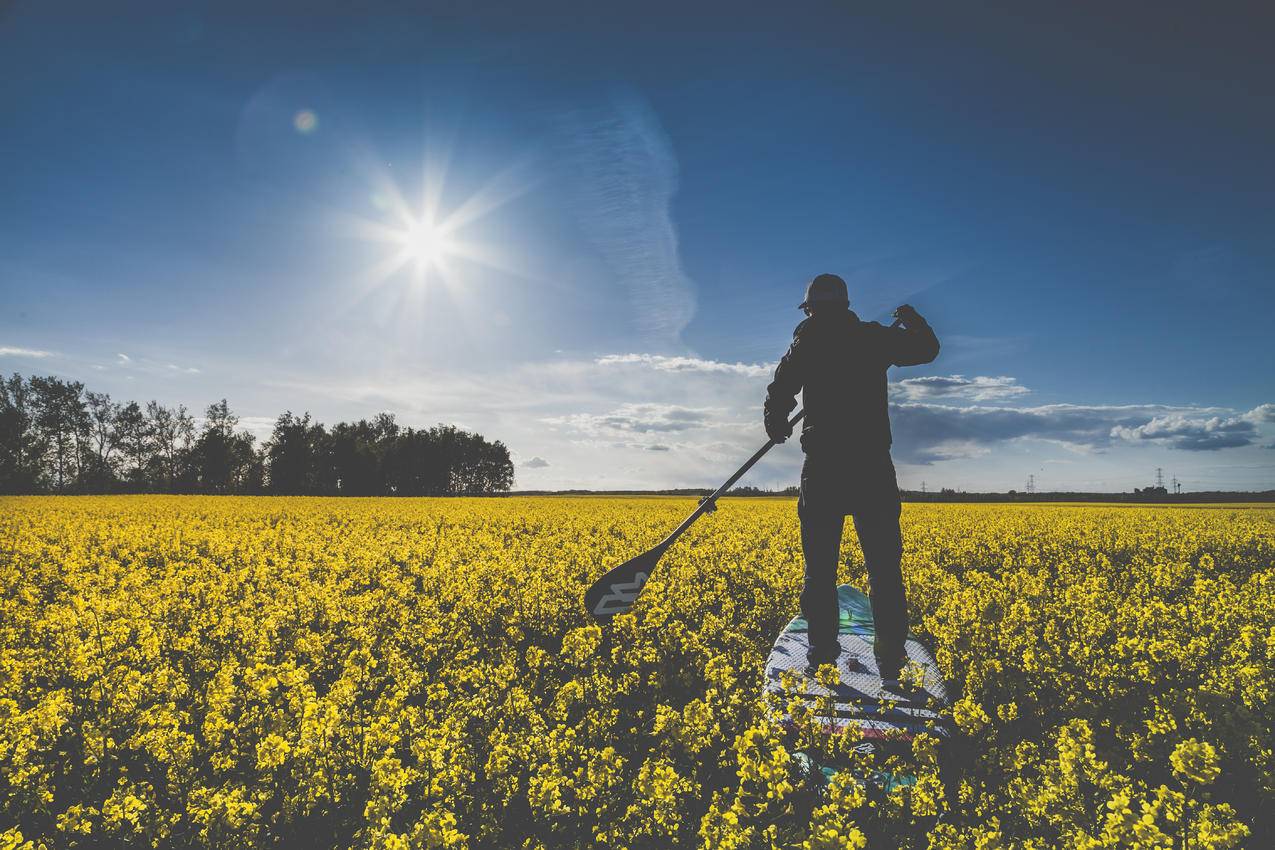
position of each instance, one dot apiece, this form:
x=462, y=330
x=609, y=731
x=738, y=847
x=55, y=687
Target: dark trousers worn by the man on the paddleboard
x=833, y=487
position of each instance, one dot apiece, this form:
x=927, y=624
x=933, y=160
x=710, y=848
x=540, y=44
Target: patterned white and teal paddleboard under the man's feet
x=888, y=718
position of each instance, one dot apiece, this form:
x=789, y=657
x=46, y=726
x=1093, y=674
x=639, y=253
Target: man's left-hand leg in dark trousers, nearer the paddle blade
x=822, y=545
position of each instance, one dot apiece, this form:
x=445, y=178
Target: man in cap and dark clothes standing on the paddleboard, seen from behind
x=840, y=365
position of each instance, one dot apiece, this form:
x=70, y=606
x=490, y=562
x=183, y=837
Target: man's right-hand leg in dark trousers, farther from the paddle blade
x=883, y=550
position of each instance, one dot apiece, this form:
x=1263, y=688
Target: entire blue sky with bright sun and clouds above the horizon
x=215, y=201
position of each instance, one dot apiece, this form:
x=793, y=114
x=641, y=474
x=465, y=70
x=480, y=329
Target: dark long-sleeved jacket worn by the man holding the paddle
x=840, y=365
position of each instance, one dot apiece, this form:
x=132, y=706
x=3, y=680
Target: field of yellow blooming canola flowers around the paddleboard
x=222, y=672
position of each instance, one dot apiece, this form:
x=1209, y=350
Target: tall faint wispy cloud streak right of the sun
x=623, y=175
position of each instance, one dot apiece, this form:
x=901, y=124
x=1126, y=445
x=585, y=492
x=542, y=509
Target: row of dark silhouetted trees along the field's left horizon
x=58, y=438
